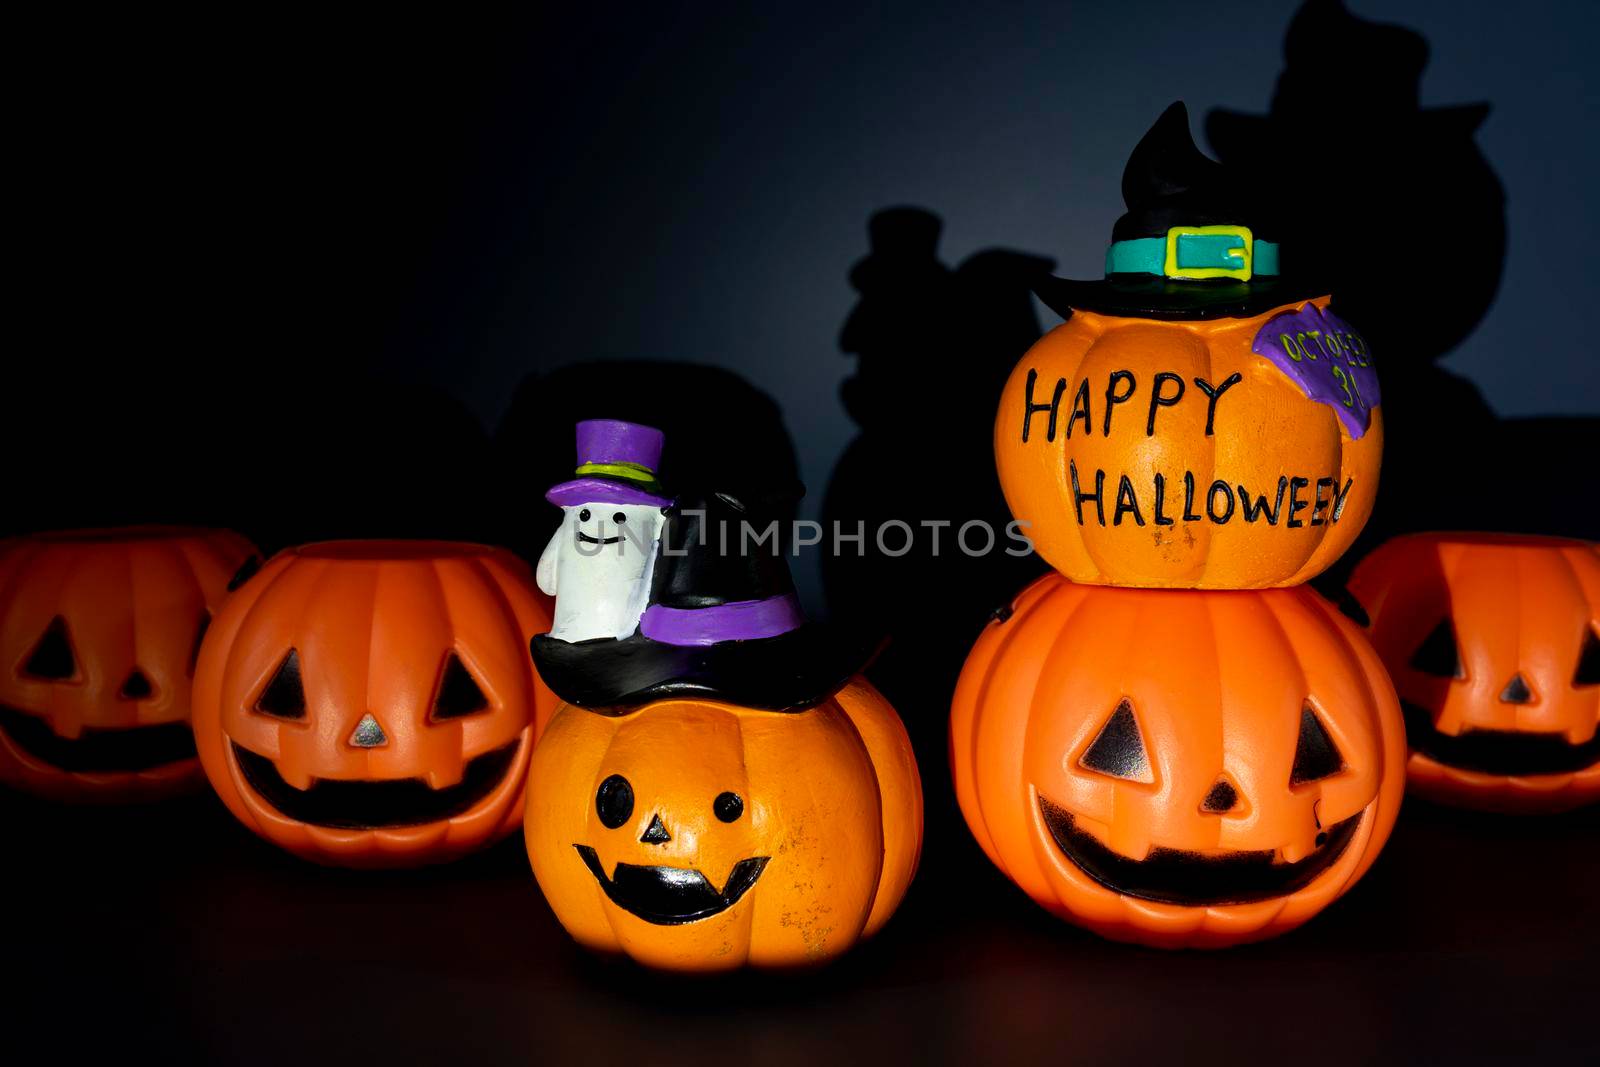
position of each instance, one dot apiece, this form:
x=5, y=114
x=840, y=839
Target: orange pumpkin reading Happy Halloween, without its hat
x=1169, y=454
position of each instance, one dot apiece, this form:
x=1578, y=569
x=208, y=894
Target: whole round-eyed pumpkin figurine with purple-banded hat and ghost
x=719, y=789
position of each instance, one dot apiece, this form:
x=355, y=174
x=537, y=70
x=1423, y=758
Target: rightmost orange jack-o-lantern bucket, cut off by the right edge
x=1494, y=642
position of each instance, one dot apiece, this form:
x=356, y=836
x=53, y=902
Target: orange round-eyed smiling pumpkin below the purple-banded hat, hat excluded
x=698, y=836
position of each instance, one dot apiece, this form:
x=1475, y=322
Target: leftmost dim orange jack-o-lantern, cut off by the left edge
x=98, y=641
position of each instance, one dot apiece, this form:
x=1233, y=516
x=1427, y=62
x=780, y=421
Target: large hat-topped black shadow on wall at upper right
x=1407, y=222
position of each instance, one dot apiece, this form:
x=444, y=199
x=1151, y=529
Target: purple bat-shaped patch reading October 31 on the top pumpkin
x=1327, y=359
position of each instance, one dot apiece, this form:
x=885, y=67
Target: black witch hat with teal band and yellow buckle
x=1191, y=246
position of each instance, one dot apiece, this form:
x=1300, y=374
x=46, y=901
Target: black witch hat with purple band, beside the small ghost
x=724, y=623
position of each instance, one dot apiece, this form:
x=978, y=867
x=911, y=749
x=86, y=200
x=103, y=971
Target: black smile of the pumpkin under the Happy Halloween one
x=1174, y=876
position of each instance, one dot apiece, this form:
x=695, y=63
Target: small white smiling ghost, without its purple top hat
x=599, y=569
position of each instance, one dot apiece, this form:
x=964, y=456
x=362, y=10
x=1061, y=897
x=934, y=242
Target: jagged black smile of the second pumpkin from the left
x=374, y=805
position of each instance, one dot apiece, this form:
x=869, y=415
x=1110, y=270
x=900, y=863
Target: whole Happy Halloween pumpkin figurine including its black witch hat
x=1201, y=420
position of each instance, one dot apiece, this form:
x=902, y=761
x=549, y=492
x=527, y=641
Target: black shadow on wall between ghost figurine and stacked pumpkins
x=934, y=350
